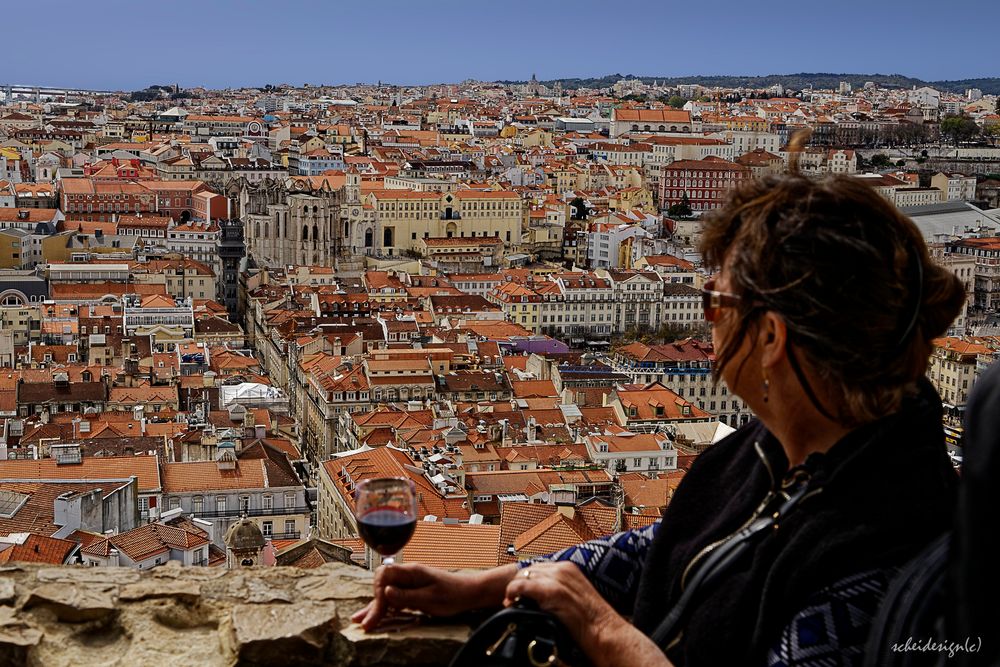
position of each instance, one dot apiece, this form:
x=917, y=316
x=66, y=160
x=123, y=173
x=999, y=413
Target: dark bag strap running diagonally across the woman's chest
x=719, y=562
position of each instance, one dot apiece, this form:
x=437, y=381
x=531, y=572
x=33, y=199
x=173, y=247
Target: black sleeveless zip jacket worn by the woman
x=884, y=491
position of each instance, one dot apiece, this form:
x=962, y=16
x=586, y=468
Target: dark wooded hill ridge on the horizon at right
x=989, y=86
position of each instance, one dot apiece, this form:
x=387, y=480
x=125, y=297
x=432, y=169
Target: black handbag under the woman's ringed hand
x=520, y=635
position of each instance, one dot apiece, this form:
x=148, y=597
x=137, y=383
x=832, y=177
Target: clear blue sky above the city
x=220, y=43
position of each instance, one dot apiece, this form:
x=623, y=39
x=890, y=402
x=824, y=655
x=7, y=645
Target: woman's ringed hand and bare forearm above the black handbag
x=605, y=637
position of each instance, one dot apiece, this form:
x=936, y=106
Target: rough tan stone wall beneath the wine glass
x=172, y=615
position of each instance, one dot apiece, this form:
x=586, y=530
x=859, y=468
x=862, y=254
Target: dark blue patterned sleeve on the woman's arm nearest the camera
x=832, y=629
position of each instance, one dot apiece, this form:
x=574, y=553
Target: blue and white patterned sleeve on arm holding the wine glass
x=613, y=564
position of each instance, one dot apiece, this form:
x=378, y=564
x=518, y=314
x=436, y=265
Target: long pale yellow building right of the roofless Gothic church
x=403, y=217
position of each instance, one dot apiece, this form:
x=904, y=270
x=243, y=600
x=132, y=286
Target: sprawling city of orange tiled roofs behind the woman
x=222, y=309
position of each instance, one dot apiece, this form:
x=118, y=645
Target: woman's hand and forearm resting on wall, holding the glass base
x=433, y=591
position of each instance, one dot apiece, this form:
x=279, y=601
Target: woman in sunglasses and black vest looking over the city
x=823, y=310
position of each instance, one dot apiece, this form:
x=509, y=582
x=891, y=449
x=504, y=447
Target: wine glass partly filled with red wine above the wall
x=386, y=509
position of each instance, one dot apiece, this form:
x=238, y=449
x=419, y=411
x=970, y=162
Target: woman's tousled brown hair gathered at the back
x=849, y=274
